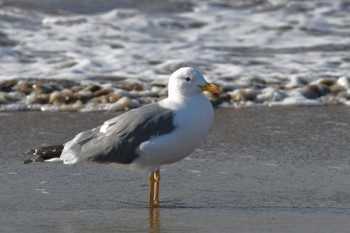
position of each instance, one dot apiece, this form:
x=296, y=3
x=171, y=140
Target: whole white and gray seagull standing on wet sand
x=147, y=137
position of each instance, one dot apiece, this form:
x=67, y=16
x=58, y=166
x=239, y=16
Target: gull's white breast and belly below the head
x=192, y=120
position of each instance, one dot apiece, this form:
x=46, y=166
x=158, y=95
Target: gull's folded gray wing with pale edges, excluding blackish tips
x=118, y=138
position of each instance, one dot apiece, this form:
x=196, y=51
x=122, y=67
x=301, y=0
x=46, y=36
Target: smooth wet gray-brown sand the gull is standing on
x=259, y=170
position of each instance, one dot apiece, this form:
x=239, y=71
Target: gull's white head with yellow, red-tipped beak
x=188, y=81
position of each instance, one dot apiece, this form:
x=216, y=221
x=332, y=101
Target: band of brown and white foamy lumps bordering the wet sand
x=91, y=95
